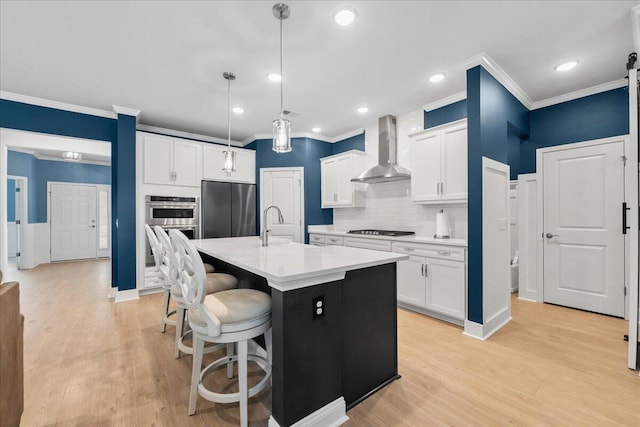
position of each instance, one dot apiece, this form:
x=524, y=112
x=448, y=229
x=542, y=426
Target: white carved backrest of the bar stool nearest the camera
x=191, y=278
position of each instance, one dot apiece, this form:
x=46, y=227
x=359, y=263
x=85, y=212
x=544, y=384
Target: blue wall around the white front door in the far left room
x=39, y=172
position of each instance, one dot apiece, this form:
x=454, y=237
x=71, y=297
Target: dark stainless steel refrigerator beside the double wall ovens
x=228, y=209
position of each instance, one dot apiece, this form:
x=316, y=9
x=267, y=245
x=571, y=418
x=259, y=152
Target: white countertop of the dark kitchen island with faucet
x=288, y=265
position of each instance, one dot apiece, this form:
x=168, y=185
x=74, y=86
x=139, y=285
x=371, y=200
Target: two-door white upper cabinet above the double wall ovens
x=171, y=161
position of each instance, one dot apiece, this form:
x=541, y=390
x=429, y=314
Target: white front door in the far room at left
x=73, y=222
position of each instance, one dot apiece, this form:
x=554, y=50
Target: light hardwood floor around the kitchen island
x=91, y=362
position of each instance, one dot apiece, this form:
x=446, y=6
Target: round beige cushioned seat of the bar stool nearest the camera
x=234, y=308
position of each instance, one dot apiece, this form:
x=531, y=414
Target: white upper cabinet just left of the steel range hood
x=337, y=189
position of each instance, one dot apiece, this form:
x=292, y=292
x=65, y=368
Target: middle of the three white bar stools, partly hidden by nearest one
x=170, y=266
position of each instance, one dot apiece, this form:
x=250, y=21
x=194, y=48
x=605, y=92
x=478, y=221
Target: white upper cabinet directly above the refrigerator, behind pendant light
x=213, y=159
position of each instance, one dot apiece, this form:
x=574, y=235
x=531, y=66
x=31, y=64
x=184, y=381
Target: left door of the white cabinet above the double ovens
x=158, y=160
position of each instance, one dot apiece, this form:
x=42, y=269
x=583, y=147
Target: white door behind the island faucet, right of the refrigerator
x=284, y=189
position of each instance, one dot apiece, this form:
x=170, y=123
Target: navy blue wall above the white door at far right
x=601, y=115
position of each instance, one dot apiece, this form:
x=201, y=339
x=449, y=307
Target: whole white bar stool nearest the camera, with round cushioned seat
x=228, y=317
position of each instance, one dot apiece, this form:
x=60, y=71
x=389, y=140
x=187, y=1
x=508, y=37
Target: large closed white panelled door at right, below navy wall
x=583, y=191
